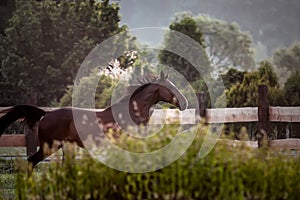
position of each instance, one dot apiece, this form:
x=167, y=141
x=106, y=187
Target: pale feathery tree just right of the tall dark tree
x=226, y=45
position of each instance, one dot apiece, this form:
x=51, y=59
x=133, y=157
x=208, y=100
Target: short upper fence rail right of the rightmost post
x=284, y=114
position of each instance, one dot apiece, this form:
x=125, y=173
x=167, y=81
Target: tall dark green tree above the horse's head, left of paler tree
x=186, y=25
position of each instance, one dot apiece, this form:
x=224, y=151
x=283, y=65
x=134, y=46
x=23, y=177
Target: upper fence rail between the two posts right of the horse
x=229, y=115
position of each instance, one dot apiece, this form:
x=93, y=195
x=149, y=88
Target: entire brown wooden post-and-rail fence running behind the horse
x=263, y=114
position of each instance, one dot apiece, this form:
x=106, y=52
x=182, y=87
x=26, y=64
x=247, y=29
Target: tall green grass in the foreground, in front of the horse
x=226, y=173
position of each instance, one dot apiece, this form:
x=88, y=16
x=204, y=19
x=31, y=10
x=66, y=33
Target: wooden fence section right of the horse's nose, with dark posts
x=263, y=114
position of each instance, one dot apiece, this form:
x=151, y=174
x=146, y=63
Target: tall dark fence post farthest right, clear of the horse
x=263, y=115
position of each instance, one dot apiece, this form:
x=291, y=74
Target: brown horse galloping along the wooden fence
x=73, y=124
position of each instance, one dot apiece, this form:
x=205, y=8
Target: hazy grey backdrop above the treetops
x=274, y=23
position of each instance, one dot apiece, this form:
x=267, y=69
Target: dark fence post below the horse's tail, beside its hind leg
x=31, y=140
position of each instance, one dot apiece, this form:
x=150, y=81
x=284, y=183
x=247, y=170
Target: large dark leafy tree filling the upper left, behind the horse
x=45, y=44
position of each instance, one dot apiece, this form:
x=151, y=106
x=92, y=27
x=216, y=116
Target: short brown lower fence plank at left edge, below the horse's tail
x=13, y=140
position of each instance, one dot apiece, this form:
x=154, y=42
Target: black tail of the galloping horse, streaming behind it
x=30, y=114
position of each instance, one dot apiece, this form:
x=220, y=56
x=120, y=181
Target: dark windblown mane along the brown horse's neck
x=134, y=89
